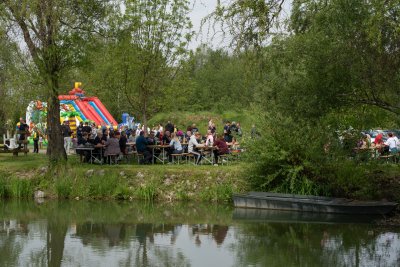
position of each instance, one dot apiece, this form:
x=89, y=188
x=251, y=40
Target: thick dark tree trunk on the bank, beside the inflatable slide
x=55, y=148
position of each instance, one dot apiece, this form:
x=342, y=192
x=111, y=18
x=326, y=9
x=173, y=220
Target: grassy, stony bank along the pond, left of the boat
x=21, y=176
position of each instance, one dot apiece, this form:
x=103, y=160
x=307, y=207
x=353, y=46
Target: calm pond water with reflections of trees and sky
x=97, y=233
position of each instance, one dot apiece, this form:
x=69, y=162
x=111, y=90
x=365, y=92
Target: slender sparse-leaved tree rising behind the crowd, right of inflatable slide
x=158, y=35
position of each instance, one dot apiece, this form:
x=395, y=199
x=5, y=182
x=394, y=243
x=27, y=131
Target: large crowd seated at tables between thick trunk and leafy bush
x=109, y=141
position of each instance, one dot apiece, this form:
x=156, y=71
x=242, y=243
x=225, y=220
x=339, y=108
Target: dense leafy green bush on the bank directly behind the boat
x=306, y=157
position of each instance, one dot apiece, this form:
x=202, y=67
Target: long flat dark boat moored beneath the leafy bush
x=277, y=201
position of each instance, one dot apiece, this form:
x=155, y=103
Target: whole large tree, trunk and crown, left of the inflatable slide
x=54, y=32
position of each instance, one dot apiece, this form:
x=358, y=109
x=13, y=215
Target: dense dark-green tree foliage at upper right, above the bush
x=350, y=51
